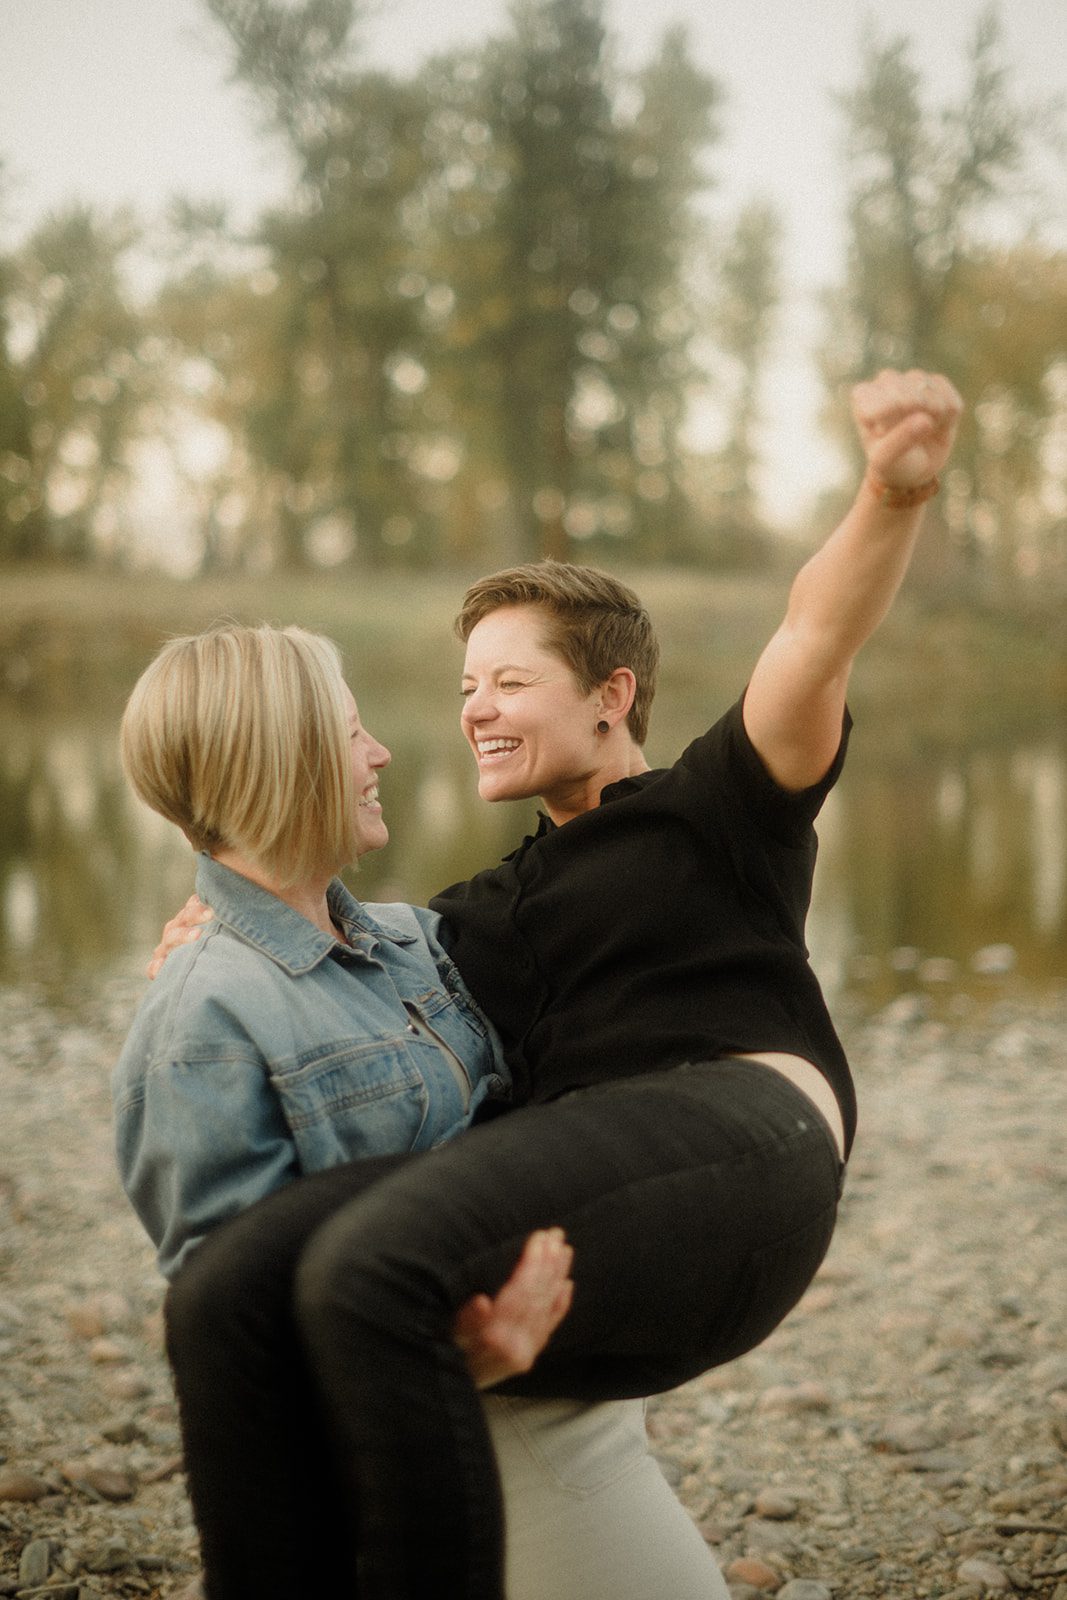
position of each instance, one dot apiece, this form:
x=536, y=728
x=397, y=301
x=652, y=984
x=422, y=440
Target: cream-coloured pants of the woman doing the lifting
x=589, y=1513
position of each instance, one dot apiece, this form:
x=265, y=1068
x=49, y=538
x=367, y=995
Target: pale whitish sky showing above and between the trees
x=127, y=102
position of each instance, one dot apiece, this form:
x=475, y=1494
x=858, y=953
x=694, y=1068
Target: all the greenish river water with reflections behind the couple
x=929, y=855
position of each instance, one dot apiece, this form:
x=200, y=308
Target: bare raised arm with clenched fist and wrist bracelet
x=796, y=700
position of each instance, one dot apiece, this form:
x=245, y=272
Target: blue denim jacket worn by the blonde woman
x=268, y=1050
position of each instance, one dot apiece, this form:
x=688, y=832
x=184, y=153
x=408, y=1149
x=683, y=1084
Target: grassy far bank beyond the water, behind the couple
x=68, y=634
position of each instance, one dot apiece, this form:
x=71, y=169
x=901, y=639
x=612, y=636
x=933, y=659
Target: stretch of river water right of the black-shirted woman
x=933, y=863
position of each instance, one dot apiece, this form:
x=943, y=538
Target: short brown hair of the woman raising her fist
x=593, y=623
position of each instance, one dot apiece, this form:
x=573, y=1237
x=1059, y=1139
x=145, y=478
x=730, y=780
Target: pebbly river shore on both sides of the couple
x=903, y=1434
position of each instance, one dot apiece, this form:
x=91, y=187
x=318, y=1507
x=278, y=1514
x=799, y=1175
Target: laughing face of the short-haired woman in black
x=532, y=730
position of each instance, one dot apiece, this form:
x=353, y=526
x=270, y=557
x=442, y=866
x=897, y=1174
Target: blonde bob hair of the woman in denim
x=242, y=738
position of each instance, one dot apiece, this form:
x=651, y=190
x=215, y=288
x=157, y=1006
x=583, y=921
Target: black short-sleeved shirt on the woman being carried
x=665, y=926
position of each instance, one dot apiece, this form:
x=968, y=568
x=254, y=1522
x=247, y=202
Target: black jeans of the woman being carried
x=334, y=1438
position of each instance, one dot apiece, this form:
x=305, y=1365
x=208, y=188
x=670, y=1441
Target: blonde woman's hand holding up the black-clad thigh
x=505, y=1335
